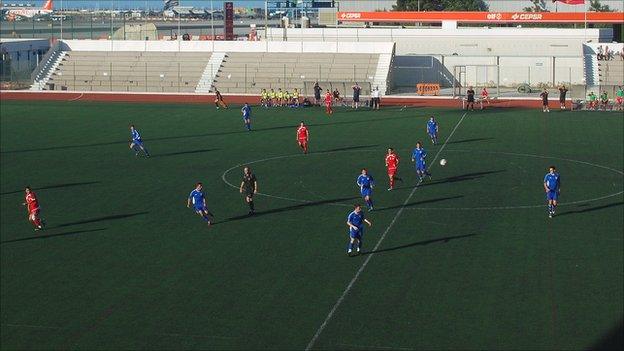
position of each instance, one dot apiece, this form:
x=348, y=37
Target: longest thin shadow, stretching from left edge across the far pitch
x=149, y=140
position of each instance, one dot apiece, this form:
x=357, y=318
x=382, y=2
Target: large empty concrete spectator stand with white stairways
x=199, y=67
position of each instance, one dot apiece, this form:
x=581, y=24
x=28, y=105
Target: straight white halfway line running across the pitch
x=381, y=239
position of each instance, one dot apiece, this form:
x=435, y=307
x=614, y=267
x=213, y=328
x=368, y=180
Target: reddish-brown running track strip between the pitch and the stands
x=420, y=101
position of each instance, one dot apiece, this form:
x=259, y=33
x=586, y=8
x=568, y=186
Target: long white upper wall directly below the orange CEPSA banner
x=463, y=41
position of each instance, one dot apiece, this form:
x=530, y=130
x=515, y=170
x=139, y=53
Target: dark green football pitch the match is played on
x=467, y=260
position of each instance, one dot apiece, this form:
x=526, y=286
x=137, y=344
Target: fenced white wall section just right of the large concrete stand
x=502, y=76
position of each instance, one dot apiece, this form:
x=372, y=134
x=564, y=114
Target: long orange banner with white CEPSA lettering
x=483, y=17
